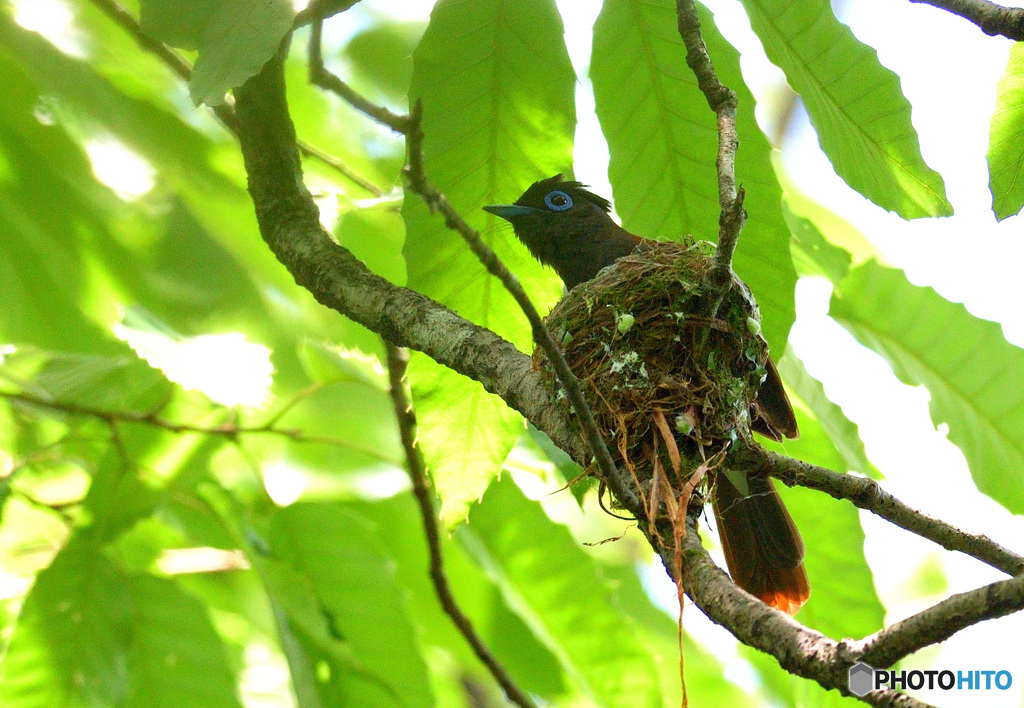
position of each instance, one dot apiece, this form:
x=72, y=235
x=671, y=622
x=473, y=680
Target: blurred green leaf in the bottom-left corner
x=70, y=645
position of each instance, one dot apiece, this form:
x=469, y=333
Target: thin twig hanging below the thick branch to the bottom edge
x=398, y=362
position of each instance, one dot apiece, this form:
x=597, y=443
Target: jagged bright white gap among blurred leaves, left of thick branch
x=226, y=367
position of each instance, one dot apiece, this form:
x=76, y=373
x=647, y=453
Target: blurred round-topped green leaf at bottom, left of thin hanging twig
x=336, y=553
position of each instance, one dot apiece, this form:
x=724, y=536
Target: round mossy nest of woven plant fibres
x=643, y=342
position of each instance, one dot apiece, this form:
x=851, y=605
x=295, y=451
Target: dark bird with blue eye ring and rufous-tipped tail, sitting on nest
x=571, y=230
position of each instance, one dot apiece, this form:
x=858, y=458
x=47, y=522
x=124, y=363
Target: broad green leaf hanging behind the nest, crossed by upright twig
x=664, y=144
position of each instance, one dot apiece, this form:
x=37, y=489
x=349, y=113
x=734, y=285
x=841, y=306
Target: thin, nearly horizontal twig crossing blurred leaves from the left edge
x=231, y=431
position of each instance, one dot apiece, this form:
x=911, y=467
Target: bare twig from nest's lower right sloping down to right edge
x=867, y=494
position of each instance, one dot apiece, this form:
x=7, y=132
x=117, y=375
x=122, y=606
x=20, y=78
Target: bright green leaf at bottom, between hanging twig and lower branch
x=559, y=591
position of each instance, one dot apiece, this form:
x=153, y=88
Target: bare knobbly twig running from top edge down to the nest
x=722, y=101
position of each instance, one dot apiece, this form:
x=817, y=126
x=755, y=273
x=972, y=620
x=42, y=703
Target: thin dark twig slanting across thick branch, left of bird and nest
x=438, y=202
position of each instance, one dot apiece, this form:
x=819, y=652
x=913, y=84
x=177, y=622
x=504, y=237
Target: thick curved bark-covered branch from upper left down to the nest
x=289, y=223
